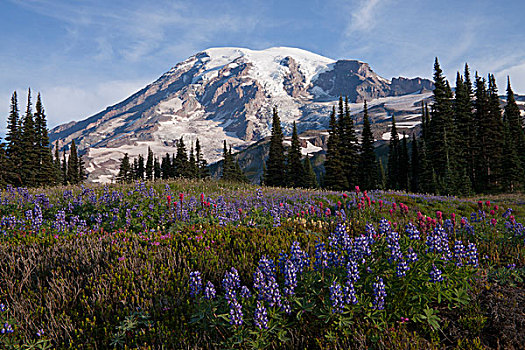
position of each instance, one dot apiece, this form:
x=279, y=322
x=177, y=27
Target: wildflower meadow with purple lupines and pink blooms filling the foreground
x=190, y=265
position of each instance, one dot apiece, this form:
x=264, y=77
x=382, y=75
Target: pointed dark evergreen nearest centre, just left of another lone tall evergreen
x=275, y=165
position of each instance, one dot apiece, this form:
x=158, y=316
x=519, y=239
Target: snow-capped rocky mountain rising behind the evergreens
x=228, y=94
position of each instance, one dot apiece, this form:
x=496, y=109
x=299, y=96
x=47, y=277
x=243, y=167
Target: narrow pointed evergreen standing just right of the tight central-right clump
x=368, y=171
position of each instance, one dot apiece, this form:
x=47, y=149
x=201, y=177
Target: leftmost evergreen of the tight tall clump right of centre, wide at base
x=334, y=177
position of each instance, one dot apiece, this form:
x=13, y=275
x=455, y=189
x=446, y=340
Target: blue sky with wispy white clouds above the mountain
x=84, y=55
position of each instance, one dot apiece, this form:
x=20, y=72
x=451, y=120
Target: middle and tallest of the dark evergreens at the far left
x=28, y=152
